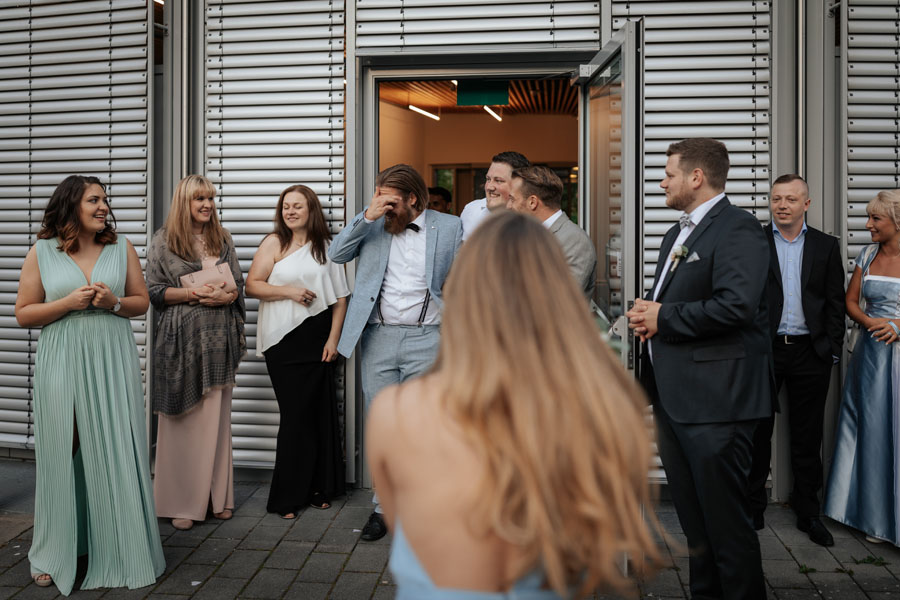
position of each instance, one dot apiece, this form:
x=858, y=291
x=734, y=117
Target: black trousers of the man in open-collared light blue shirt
x=806, y=376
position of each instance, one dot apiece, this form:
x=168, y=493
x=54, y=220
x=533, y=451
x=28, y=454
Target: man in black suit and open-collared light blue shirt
x=805, y=292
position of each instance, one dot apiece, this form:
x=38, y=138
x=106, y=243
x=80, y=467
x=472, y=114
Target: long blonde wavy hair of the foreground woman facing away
x=543, y=400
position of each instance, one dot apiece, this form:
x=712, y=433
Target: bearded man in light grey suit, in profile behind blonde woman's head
x=537, y=191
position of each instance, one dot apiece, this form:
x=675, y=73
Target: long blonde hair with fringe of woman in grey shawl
x=178, y=223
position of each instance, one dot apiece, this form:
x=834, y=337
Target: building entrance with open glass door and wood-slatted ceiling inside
x=581, y=118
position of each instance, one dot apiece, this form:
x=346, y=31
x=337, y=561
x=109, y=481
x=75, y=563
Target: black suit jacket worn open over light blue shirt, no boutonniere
x=822, y=289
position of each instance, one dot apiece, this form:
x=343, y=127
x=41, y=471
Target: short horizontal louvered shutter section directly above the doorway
x=396, y=25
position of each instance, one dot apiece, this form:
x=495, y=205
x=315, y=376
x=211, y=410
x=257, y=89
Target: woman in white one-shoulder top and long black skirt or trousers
x=303, y=300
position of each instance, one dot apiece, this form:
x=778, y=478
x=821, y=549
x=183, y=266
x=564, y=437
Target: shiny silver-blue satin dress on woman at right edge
x=863, y=484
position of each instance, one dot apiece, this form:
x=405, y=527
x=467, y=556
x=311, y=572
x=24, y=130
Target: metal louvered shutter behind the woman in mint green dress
x=74, y=90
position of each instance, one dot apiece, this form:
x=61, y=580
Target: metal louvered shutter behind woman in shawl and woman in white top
x=275, y=117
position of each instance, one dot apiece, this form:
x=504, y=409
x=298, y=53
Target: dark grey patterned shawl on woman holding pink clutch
x=197, y=348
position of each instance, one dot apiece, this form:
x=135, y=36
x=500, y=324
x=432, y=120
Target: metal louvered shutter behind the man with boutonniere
x=706, y=75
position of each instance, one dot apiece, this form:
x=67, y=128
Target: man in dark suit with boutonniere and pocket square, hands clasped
x=707, y=367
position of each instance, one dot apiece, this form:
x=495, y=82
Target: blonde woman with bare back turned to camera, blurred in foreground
x=519, y=463
